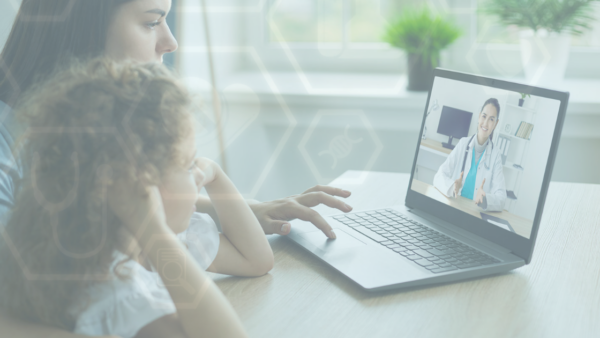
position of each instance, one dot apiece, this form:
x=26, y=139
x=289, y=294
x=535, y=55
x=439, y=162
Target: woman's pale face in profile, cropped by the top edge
x=139, y=31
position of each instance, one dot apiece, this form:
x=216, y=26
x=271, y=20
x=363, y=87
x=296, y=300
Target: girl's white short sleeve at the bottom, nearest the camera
x=130, y=298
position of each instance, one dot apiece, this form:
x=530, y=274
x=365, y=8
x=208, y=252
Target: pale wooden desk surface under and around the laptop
x=557, y=295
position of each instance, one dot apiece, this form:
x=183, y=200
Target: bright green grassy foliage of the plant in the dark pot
x=420, y=32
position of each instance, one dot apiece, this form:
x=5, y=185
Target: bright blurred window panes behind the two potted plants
x=345, y=36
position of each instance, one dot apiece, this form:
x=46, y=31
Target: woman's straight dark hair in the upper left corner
x=48, y=33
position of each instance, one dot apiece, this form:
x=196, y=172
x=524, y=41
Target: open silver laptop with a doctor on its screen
x=439, y=236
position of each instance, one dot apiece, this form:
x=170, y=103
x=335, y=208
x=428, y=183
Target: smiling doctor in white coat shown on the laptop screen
x=474, y=168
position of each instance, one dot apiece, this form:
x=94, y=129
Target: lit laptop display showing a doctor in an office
x=484, y=151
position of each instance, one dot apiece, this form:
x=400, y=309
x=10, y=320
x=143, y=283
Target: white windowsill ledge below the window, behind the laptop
x=378, y=89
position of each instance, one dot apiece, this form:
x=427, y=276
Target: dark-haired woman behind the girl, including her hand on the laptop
x=48, y=33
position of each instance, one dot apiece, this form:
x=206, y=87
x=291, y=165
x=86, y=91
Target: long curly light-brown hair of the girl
x=88, y=126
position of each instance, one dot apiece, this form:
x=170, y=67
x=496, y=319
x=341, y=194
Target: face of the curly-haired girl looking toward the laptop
x=180, y=187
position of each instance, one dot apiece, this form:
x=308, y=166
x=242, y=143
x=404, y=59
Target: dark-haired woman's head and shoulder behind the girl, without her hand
x=47, y=34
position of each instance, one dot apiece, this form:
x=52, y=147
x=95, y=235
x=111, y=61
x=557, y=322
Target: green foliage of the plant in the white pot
x=560, y=16
